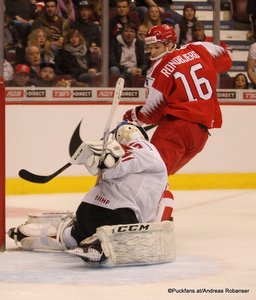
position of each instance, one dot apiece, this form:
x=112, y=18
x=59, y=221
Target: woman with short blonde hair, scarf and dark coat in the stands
x=76, y=59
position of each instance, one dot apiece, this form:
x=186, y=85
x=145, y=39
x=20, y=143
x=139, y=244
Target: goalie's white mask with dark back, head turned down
x=126, y=132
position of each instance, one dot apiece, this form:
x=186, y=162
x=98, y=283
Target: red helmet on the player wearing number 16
x=161, y=33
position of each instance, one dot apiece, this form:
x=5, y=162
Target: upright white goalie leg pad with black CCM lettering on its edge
x=135, y=244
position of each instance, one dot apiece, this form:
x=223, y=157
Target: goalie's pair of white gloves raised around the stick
x=89, y=154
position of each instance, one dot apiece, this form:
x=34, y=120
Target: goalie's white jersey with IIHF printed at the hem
x=137, y=182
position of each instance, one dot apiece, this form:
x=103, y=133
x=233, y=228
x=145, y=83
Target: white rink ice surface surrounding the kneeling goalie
x=215, y=239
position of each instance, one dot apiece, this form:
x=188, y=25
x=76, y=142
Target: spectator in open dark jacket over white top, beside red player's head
x=126, y=54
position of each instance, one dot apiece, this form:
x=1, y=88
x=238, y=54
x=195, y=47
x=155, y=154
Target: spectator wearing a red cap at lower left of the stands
x=20, y=76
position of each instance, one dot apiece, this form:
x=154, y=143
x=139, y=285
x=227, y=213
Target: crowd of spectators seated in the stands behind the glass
x=61, y=40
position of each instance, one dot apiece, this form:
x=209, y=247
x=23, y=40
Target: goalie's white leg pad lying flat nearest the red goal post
x=43, y=231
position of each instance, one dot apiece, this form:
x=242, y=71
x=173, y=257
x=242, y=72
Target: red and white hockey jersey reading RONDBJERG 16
x=183, y=84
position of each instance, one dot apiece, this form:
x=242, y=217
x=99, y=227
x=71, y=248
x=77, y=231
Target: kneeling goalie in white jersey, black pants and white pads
x=125, y=219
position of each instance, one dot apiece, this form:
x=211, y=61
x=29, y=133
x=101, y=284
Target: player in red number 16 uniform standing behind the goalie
x=182, y=98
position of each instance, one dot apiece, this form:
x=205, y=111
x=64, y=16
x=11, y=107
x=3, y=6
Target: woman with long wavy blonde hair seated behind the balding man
x=38, y=37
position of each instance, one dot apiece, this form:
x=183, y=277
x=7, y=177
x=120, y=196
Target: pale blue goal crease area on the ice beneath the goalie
x=63, y=268
